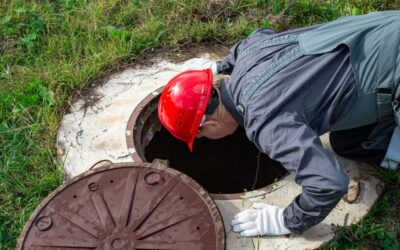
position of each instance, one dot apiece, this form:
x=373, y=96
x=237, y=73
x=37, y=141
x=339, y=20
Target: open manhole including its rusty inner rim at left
x=226, y=166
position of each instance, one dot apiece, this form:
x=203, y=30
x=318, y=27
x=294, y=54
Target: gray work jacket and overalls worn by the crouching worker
x=292, y=87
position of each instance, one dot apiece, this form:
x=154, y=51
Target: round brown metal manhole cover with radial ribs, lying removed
x=126, y=206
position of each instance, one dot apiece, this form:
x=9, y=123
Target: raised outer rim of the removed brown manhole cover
x=158, y=165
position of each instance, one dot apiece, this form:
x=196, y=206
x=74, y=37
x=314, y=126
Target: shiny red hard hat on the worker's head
x=183, y=103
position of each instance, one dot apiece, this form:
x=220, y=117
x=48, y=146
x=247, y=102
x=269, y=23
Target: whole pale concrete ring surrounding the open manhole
x=95, y=129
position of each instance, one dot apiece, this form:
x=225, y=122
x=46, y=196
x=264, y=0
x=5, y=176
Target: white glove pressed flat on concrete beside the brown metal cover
x=260, y=219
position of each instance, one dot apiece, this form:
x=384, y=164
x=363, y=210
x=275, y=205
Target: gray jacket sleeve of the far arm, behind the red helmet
x=228, y=63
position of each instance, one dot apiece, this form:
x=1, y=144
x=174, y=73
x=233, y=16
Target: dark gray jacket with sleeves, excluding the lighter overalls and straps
x=286, y=115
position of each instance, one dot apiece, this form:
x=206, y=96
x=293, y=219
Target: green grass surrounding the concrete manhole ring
x=49, y=50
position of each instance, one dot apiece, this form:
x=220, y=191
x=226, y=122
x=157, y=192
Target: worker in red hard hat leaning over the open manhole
x=286, y=89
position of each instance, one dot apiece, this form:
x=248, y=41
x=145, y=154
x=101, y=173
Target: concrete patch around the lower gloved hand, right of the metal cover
x=345, y=213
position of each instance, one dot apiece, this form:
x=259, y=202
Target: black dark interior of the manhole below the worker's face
x=228, y=165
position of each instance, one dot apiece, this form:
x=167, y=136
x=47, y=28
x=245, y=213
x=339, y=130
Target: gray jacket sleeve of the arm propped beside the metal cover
x=293, y=143
